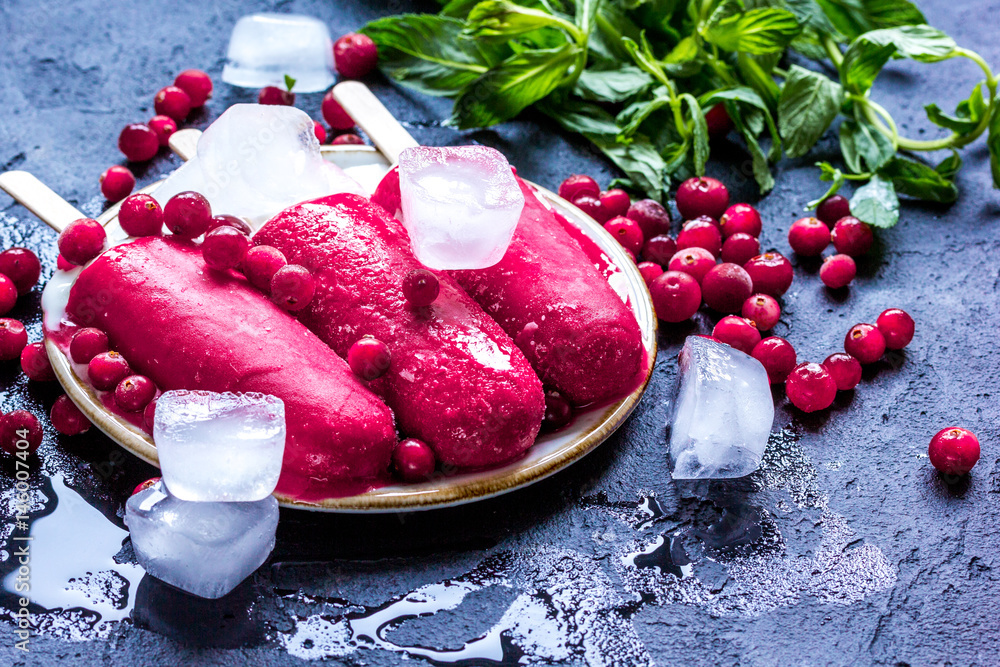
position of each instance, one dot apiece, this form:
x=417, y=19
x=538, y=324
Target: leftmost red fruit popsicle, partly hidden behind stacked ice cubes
x=188, y=327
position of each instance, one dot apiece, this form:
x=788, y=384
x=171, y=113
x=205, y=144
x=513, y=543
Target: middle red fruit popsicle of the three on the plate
x=455, y=380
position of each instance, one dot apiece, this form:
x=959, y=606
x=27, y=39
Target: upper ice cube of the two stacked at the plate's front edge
x=219, y=447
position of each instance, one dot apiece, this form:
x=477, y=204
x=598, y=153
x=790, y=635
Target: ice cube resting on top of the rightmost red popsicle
x=460, y=205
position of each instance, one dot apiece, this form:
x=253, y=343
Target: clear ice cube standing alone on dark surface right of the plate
x=723, y=414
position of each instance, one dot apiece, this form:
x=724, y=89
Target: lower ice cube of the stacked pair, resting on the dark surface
x=206, y=549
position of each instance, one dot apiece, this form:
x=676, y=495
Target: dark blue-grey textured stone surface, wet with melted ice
x=846, y=549
